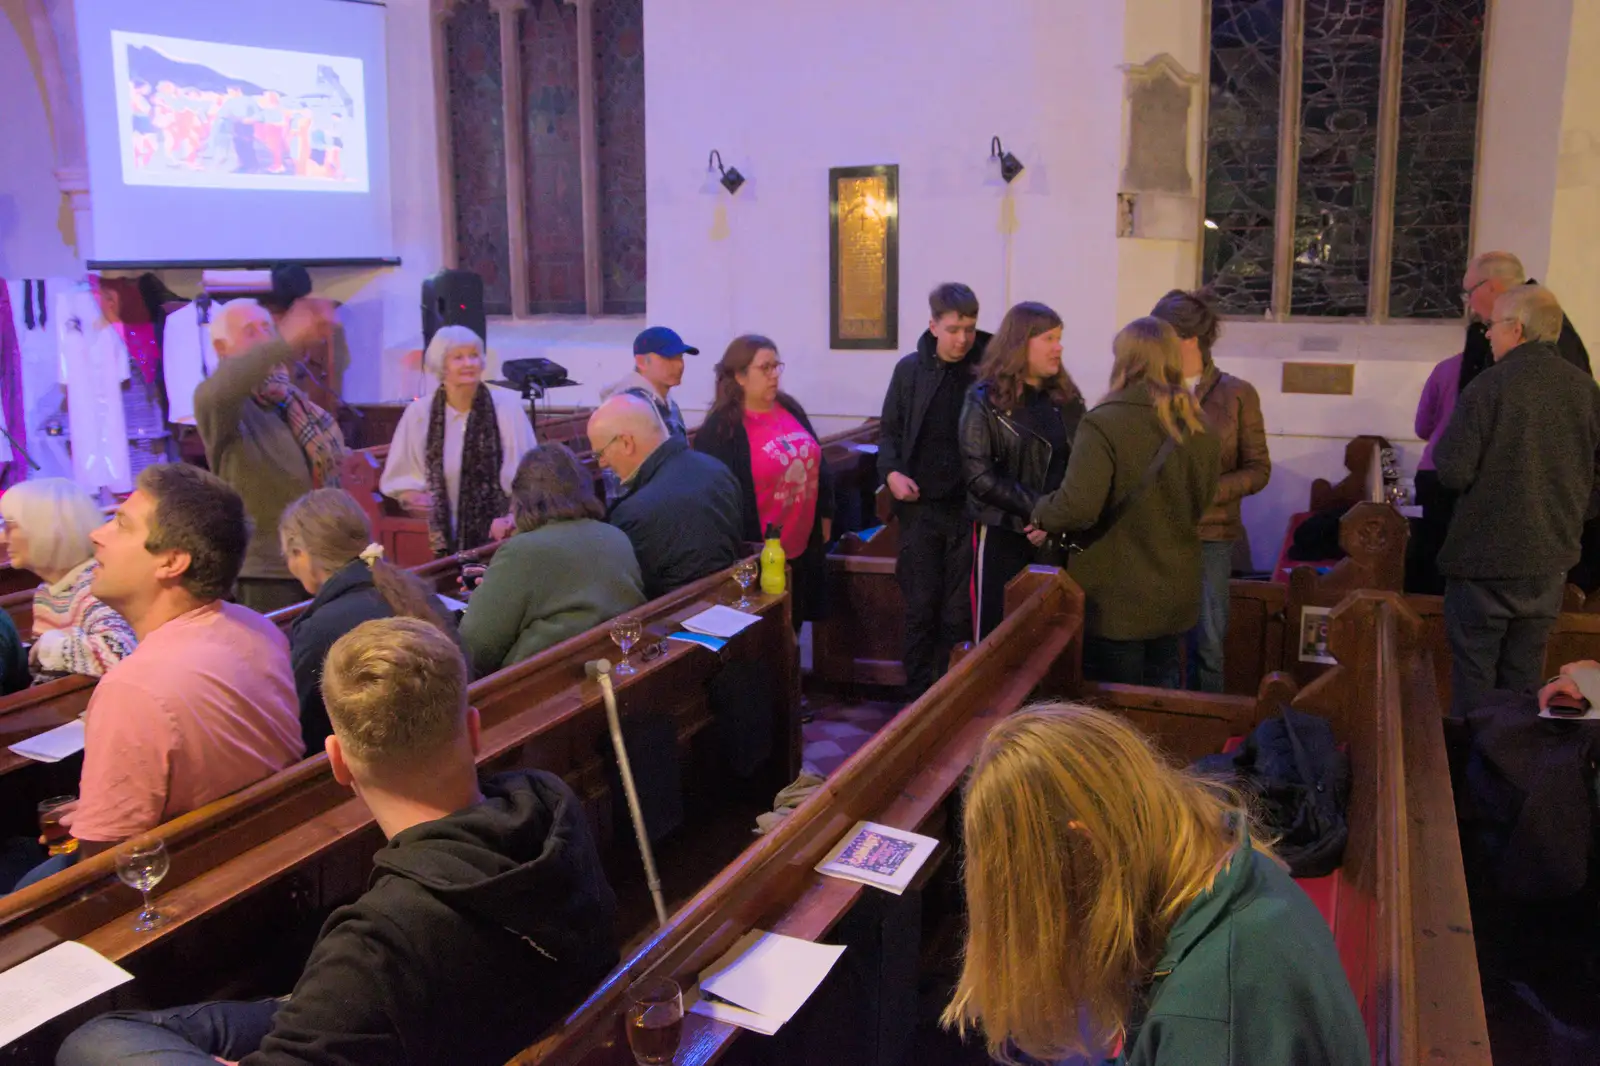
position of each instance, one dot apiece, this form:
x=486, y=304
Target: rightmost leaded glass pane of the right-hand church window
x=1439, y=122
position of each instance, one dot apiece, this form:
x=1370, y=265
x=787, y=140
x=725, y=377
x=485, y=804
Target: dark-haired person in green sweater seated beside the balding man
x=564, y=571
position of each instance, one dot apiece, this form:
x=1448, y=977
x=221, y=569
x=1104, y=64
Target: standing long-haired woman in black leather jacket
x=1017, y=431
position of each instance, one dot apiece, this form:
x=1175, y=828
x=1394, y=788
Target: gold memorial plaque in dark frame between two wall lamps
x=863, y=257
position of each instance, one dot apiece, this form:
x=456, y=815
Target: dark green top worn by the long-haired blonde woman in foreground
x=1250, y=976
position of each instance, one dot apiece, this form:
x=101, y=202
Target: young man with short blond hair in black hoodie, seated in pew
x=487, y=920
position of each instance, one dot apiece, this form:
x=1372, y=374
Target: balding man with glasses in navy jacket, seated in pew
x=679, y=508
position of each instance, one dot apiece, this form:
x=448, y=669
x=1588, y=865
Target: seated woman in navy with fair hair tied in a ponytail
x=329, y=547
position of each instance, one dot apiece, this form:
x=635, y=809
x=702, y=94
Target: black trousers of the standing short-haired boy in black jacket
x=934, y=572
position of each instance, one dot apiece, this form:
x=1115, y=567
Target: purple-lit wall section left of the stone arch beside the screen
x=34, y=225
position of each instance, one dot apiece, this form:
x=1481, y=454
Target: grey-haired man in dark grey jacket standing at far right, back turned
x=1521, y=452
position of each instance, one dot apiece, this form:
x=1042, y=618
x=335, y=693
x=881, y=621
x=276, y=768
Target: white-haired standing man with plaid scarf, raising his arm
x=263, y=436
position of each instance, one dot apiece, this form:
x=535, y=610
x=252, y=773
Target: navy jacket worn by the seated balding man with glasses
x=682, y=511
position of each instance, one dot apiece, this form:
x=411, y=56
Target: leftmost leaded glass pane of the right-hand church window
x=1242, y=159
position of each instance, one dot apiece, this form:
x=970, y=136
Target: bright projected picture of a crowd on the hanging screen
x=209, y=116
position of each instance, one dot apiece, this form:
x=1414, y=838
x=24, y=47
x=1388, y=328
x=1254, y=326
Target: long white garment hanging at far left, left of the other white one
x=94, y=367
